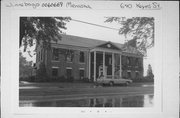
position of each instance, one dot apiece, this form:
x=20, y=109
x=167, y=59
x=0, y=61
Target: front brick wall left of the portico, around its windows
x=63, y=64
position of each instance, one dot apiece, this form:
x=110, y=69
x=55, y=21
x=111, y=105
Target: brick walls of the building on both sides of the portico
x=62, y=64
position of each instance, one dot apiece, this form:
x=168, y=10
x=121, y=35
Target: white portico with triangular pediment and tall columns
x=105, y=60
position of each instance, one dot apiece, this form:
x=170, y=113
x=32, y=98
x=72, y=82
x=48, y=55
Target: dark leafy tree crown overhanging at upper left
x=40, y=29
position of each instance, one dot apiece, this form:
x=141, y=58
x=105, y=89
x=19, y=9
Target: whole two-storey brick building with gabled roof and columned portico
x=80, y=58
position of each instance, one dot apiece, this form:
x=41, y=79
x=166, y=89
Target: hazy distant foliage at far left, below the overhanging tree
x=25, y=67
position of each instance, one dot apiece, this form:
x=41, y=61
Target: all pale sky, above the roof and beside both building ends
x=90, y=31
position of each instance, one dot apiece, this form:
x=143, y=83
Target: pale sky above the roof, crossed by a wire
x=95, y=32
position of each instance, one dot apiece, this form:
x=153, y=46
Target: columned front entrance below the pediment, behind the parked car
x=104, y=63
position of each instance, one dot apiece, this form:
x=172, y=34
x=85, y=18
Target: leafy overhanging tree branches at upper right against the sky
x=139, y=31
